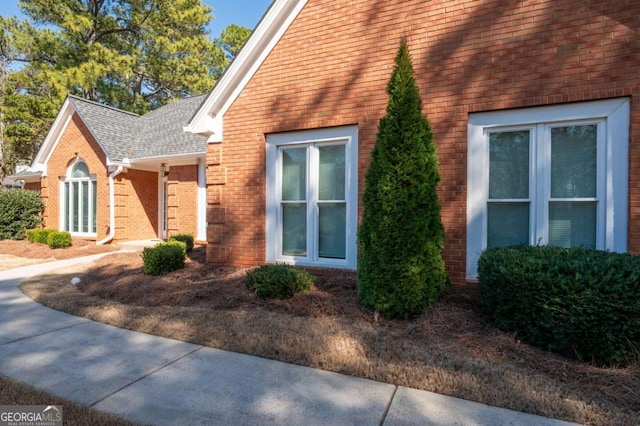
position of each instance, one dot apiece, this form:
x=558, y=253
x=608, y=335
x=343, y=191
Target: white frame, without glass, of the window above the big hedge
x=612, y=117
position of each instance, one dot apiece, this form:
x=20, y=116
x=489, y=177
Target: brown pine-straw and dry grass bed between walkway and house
x=451, y=350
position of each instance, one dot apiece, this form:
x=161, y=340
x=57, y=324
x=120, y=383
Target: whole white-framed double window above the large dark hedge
x=548, y=176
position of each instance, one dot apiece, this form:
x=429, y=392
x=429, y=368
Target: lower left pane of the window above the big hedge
x=508, y=224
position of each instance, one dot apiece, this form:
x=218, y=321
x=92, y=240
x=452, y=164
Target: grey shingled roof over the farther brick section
x=157, y=134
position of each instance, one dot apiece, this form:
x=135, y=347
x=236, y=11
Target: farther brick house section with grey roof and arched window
x=106, y=174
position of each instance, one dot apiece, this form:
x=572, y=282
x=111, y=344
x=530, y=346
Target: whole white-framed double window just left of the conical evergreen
x=312, y=197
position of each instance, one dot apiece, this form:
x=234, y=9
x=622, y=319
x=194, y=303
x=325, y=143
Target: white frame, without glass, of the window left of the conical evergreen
x=346, y=135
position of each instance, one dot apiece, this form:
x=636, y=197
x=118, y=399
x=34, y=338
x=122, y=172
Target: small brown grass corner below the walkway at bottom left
x=15, y=393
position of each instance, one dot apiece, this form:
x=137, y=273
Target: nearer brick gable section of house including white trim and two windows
x=534, y=107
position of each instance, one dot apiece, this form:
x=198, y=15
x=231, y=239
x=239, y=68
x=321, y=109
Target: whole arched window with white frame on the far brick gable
x=78, y=201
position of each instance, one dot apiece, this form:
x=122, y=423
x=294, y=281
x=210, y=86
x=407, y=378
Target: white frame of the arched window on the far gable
x=66, y=211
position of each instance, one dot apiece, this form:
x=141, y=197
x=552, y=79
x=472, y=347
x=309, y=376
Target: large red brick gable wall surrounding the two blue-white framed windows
x=332, y=66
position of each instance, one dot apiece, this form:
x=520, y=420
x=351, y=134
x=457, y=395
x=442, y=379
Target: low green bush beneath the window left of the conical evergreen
x=278, y=281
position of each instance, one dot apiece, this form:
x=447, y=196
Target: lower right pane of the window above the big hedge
x=572, y=224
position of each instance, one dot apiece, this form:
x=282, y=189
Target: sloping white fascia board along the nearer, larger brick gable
x=208, y=119
